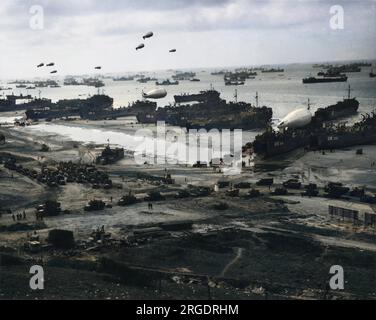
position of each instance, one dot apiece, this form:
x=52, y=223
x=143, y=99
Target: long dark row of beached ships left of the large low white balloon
x=203, y=110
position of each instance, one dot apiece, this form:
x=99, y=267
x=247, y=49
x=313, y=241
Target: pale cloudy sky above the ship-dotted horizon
x=78, y=35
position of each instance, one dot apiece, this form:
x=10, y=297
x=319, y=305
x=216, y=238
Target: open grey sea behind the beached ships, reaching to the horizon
x=283, y=92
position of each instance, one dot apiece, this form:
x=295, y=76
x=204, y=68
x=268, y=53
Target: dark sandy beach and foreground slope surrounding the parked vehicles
x=271, y=246
